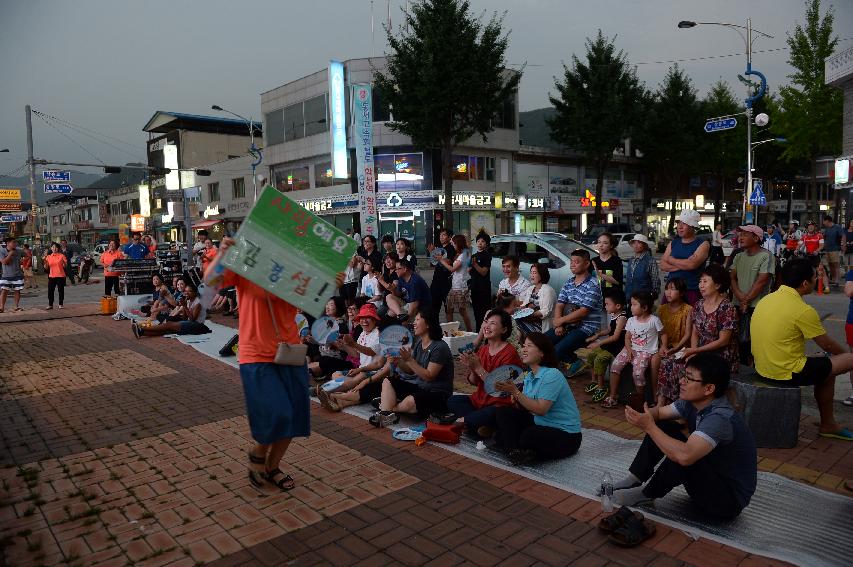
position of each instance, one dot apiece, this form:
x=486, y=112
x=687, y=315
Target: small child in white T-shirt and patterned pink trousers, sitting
x=642, y=338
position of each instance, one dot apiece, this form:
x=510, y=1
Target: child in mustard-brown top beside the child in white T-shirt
x=675, y=316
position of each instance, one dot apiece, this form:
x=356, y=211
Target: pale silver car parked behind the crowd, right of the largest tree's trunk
x=549, y=248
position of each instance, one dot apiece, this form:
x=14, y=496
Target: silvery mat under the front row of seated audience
x=785, y=520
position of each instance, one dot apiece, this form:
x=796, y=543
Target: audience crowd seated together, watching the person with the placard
x=682, y=353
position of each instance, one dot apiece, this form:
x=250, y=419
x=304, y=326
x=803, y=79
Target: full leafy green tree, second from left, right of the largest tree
x=597, y=107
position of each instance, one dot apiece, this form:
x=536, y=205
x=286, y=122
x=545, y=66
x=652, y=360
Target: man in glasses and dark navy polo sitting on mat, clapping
x=716, y=464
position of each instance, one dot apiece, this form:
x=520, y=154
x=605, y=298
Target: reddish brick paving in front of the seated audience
x=121, y=452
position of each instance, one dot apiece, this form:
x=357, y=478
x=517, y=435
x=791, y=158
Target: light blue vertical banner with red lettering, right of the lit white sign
x=363, y=137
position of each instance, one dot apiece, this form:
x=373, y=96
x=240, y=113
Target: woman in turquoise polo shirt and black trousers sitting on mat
x=544, y=422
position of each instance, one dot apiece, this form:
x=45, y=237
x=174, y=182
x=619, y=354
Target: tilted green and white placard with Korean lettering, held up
x=289, y=251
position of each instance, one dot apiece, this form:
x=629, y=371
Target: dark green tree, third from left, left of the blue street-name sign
x=671, y=136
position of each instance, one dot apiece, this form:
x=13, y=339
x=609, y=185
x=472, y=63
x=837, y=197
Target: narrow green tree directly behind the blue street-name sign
x=724, y=153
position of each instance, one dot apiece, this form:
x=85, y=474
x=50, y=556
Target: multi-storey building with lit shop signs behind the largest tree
x=410, y=199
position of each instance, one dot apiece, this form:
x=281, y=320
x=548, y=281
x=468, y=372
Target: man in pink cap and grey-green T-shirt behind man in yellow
x=752, y=271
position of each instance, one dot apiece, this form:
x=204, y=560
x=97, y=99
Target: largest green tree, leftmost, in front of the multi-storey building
x=446, y=79
